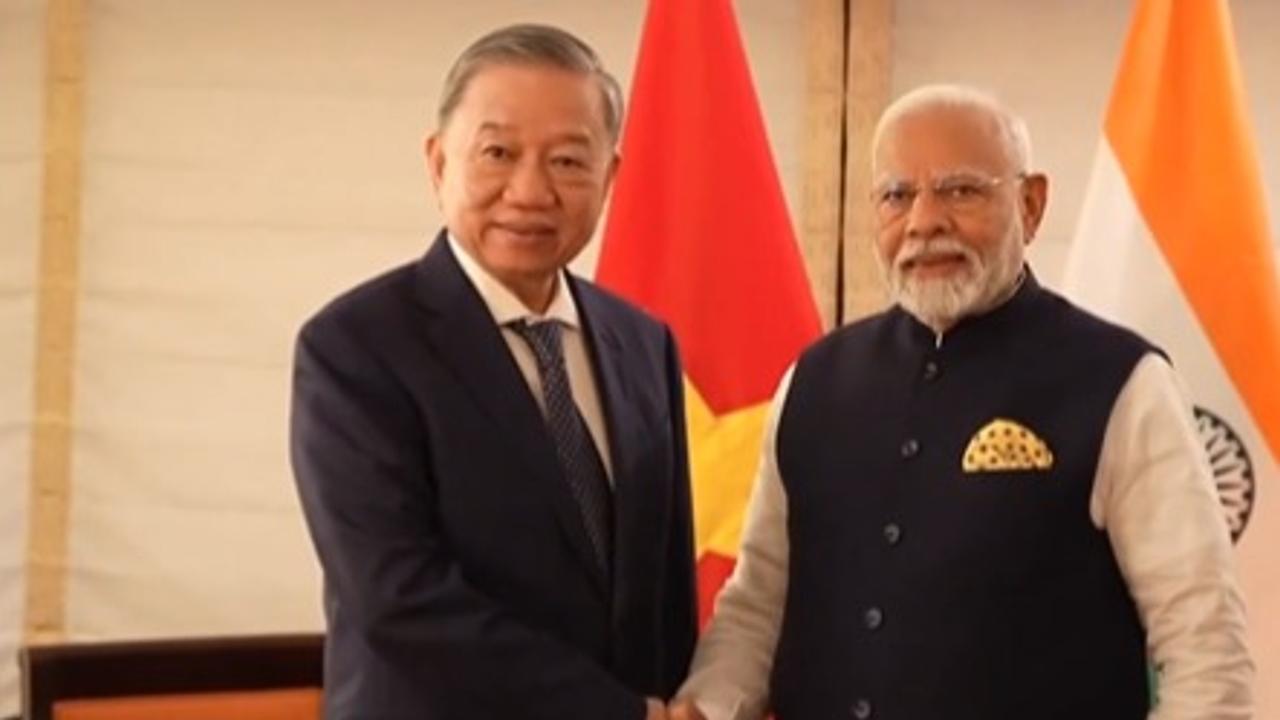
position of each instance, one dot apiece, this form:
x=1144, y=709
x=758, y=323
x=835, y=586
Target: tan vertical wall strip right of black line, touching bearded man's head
x=871, y=67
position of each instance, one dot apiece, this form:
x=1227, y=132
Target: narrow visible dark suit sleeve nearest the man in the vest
x=682, y=598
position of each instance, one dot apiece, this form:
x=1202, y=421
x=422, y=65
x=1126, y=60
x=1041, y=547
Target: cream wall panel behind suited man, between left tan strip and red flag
x=244, y=163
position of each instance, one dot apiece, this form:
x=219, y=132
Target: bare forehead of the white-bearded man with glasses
x=943, y=139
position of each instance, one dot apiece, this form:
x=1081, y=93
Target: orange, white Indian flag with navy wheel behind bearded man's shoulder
x=1174, y=243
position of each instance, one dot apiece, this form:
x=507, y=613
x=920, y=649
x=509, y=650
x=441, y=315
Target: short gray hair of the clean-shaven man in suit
x=532, y=45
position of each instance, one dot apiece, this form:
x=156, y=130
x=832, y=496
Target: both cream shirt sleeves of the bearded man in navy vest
x=1153, y=494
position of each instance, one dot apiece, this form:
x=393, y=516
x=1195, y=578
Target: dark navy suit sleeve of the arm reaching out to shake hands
x=360, y=459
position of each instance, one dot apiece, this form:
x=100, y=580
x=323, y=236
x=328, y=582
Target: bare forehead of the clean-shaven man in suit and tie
x=532, y=98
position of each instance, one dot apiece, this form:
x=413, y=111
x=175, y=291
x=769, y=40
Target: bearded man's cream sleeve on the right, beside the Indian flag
x=1155, y=498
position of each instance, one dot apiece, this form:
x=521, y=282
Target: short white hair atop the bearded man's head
x=985, y=117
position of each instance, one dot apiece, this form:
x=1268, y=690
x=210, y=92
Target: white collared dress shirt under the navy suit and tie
x=508, y=309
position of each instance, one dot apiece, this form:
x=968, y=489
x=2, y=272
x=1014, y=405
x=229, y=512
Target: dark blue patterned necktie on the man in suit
x=580, y=461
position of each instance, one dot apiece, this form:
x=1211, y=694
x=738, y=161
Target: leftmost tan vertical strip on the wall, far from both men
x=56, y=322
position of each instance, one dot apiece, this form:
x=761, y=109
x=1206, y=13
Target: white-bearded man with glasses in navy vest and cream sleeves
x=982, y=503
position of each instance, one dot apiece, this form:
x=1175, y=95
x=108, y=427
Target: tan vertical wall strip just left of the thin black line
x=824, y=127
